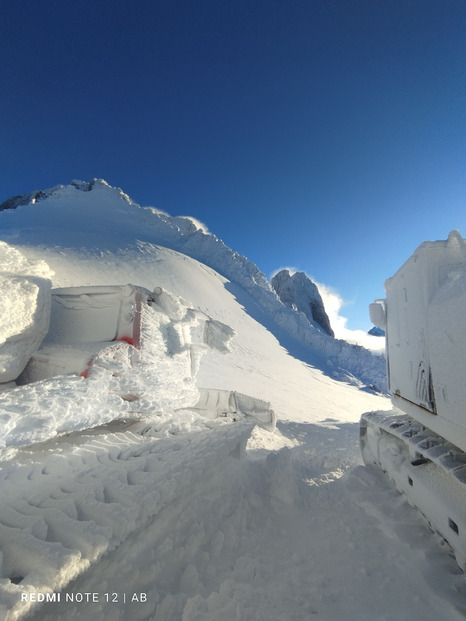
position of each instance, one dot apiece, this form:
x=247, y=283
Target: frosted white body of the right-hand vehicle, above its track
x=426, y=341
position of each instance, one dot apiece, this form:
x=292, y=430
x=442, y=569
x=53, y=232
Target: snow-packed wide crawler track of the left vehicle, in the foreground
x=68, y=502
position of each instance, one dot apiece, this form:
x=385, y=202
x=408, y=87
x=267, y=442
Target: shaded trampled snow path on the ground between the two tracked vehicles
x=298, y=533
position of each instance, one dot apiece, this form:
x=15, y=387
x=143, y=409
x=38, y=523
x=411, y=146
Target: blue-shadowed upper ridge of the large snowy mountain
x=106, y=222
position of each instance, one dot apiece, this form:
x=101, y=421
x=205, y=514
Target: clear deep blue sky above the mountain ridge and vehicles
x=326, y=135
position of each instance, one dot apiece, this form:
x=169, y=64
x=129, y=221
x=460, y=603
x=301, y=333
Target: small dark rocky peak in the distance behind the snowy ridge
x=298, y=291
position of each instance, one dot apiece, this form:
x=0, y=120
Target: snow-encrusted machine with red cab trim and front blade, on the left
x=141, y=348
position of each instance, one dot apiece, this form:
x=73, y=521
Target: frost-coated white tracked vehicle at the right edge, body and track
x=421, y=443
